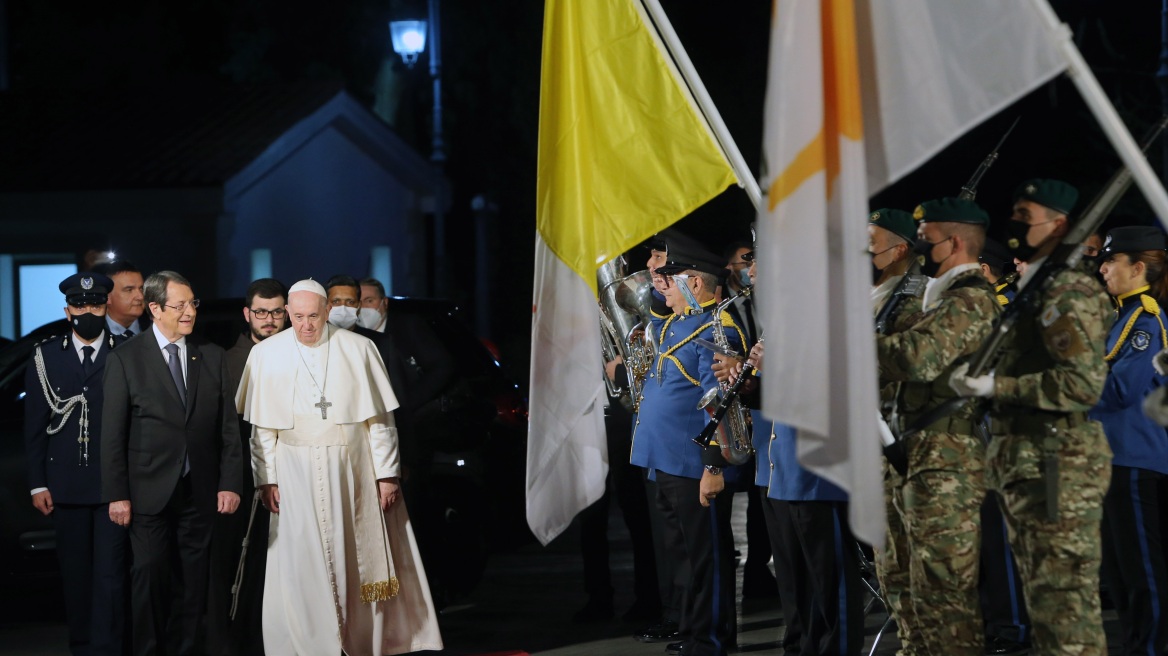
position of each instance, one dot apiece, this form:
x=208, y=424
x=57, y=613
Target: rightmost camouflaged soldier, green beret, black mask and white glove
x=1051, y=464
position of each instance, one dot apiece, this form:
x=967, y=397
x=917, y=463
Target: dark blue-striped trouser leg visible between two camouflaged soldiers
x=999, y=583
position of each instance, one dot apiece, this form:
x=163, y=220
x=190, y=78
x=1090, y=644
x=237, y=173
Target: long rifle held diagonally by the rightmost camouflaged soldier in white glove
x=1067, y=255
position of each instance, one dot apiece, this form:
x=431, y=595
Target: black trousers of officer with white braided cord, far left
x=95, y=569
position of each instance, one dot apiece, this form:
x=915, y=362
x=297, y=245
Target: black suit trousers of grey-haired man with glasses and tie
x=168, y=612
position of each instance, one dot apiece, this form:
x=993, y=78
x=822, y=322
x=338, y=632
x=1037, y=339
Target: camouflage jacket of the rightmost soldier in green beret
x=1054, y=360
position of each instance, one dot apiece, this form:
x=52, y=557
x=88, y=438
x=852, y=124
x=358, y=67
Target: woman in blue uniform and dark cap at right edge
x=1134, y=267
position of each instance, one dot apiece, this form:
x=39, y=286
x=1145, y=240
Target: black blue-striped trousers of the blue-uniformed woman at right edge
x=1134, y=563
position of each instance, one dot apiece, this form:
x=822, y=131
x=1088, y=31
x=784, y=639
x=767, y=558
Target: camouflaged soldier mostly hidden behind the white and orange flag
x=891, y=238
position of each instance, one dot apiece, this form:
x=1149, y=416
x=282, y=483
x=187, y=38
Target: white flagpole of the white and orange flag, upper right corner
x=1106, y=114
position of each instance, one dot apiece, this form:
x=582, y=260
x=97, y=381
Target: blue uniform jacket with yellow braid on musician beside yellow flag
x=670, y=418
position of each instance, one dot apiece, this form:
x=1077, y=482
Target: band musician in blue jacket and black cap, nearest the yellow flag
x=697, y=526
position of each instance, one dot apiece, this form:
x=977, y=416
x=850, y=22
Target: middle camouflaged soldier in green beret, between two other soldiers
x=941, y=497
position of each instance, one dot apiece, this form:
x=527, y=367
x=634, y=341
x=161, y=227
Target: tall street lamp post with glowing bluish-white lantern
x=409, y=40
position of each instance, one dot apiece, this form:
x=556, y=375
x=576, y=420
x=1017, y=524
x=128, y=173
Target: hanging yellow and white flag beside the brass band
x=624, y=153
